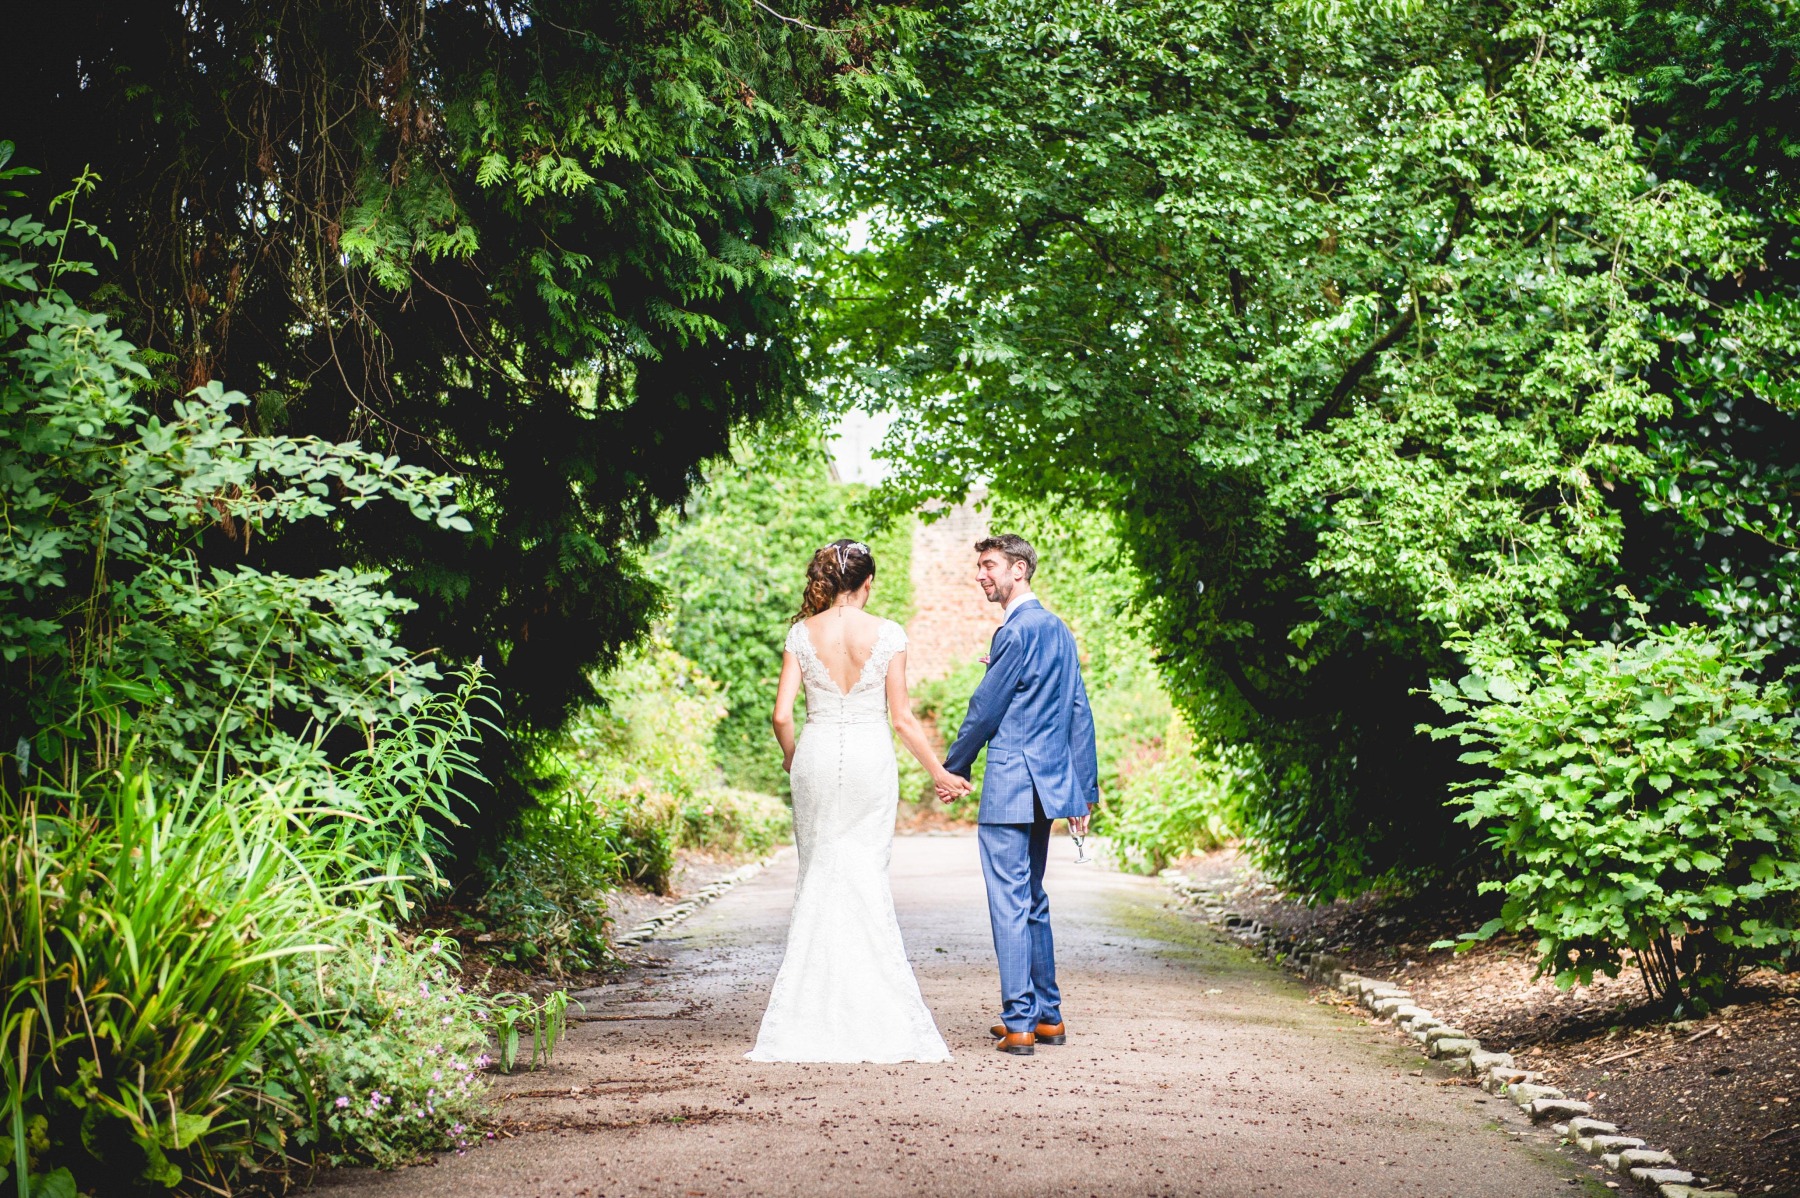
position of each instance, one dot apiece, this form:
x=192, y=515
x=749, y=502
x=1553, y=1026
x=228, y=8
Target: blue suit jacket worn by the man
x=1032, y=715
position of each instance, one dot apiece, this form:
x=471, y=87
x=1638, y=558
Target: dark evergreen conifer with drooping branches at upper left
x=548, y=247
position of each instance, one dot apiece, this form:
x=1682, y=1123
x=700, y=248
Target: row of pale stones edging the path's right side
x=1453, y=1050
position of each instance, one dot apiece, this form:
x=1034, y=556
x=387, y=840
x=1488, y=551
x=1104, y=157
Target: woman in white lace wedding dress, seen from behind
x=845, y=990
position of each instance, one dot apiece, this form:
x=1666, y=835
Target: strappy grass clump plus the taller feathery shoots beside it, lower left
x=159, y=940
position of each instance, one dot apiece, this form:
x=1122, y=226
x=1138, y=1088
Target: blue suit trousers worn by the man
x=1012, y=861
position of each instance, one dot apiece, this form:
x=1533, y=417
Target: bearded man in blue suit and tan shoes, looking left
x=1032, y=715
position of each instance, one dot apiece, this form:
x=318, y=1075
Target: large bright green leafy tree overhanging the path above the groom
x=1360, y=328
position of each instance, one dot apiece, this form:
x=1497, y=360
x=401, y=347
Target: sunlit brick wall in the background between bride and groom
x=953, y=621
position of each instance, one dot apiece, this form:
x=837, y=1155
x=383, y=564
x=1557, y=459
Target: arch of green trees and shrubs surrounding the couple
x=1434, y=364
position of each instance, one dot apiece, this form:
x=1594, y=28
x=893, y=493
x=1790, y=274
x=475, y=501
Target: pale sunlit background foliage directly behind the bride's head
x=735, y=569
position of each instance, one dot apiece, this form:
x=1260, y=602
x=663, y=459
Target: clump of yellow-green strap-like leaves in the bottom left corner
x=141, y=934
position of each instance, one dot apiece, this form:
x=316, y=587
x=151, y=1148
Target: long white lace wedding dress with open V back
x=845, y=990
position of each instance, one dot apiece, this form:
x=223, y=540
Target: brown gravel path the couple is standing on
x=1191, y=1069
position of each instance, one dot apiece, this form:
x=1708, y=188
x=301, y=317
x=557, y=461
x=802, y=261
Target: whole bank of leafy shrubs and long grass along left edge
x=172, y=925
